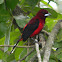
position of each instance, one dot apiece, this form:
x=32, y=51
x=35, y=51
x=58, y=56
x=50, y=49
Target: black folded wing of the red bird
x=29, y=29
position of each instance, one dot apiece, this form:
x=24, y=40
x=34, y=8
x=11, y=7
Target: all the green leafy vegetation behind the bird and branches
x=9, y=32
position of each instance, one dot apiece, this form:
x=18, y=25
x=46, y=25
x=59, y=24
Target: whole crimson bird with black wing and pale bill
x=34, y=26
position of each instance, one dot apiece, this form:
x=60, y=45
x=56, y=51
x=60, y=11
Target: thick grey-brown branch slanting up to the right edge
x=50, y=41
